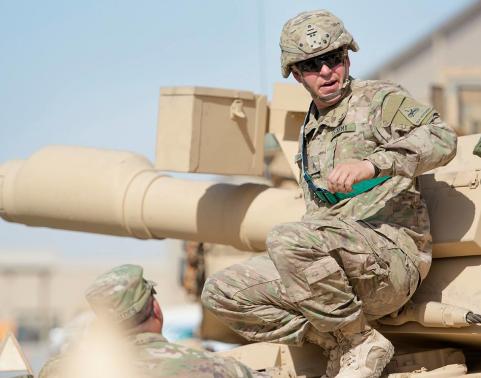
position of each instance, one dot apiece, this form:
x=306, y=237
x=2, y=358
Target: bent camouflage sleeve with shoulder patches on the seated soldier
x=413, y=137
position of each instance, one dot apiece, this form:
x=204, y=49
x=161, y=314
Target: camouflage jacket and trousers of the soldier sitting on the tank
x=366, y=254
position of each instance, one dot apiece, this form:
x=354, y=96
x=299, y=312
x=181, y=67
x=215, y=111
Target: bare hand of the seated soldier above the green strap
x=346, y=174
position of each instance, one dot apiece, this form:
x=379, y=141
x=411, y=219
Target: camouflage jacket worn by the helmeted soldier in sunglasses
x=378, y=121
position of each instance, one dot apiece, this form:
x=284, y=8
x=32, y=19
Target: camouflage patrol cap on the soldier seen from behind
x=120, y=294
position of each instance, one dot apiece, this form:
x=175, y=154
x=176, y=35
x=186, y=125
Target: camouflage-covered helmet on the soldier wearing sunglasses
x=310, y=34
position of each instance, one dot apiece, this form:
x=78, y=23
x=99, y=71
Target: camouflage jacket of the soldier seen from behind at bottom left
x=153, y=356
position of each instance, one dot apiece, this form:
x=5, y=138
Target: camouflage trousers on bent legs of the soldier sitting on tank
x=319, y=277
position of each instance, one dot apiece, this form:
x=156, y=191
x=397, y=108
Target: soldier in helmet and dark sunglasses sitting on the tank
x=360, y=251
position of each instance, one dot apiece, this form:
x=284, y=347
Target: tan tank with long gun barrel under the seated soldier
x=122, y=193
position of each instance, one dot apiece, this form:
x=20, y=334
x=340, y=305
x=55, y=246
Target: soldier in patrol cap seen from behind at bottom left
x=123, y=298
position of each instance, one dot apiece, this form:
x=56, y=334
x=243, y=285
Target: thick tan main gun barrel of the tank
x=120, y=193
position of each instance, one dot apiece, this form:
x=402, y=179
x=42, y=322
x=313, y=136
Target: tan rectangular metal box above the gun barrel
x=211, y=130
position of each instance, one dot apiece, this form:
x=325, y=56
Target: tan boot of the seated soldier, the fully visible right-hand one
x=365, y=354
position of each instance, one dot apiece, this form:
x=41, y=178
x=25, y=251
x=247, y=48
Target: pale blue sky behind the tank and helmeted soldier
x=88, y=73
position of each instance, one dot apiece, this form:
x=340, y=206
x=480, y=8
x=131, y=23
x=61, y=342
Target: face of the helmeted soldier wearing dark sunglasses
x=324, y=85
